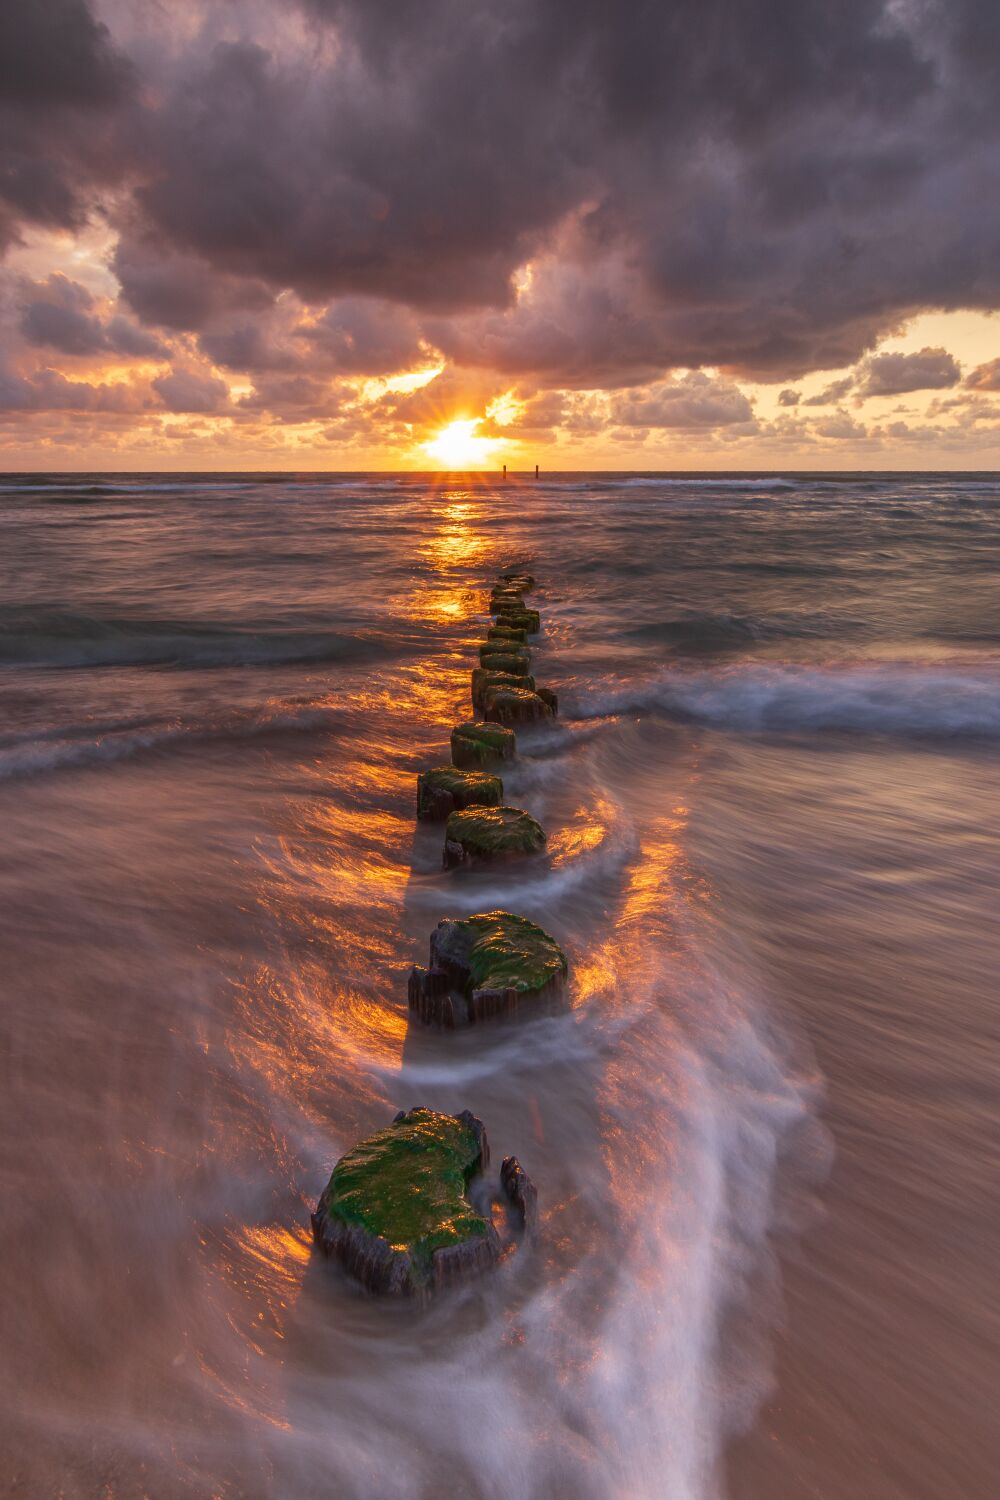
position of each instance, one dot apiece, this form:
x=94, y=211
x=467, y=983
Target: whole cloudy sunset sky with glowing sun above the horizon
x=352, y=235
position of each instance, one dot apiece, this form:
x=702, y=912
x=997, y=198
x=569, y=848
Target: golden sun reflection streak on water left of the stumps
x=335, y=881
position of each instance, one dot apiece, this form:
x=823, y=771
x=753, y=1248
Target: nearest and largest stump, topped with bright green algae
x=397, y=1211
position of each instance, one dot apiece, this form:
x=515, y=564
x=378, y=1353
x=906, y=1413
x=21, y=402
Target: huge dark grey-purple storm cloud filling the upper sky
x=762, y=187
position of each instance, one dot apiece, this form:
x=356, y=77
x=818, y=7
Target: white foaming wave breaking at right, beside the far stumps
x=899, y=700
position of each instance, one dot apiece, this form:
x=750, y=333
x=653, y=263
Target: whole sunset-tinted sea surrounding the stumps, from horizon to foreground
x=767, y=1130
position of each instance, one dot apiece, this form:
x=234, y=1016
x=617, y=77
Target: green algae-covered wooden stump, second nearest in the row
x=488, y=965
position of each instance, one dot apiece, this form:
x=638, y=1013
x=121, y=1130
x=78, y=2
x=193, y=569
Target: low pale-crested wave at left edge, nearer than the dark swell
x=79, y=746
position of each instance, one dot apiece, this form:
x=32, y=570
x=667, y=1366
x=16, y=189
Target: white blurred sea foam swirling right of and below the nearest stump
x=626, y=1381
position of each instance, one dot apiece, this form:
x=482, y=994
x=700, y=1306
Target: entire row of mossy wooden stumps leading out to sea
x=410, y=1208
